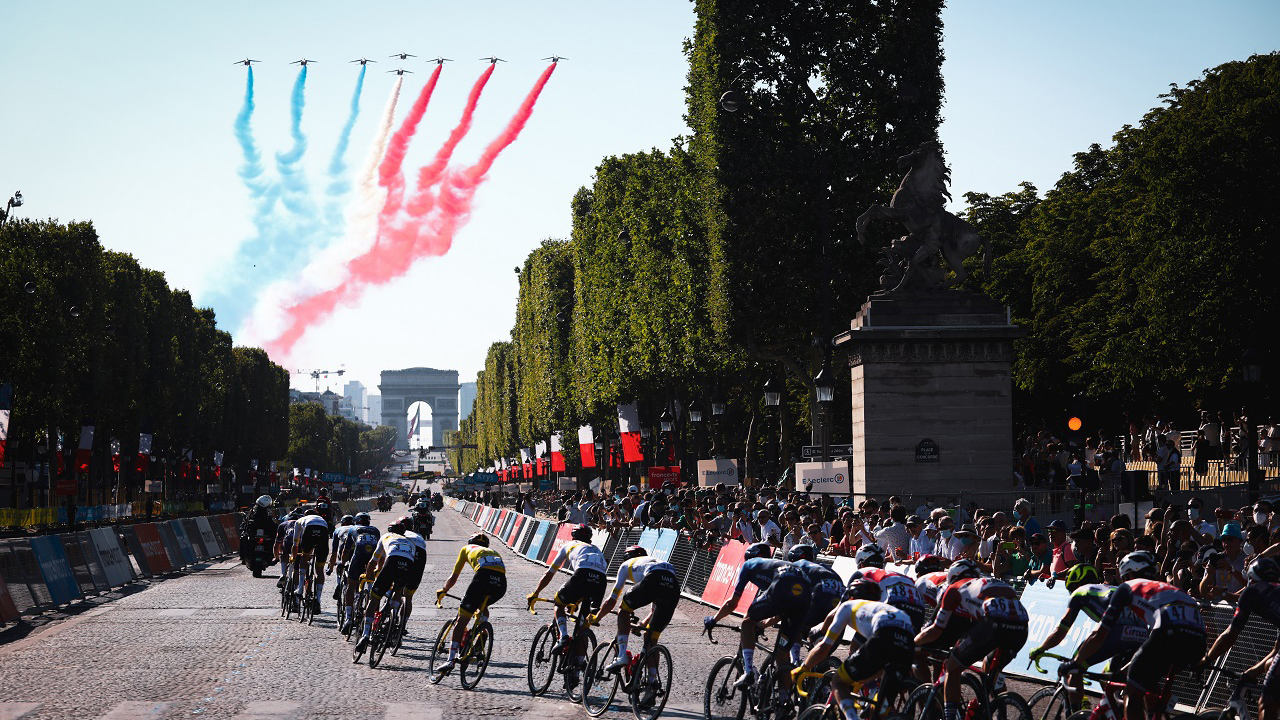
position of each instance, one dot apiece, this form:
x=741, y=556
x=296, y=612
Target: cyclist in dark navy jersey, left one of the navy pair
x=783, y=591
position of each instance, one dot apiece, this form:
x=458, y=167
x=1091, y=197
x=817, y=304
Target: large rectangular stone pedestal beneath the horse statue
x=932, y=399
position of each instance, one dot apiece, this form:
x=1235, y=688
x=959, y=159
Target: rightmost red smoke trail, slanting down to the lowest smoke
x=456, y=208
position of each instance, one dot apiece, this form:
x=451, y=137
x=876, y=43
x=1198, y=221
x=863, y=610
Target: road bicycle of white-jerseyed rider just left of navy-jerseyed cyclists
x=601, y=686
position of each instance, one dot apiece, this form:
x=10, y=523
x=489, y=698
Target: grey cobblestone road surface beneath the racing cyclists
x=213, y=645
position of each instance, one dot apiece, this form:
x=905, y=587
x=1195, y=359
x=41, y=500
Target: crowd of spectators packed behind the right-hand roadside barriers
x=1201, y=550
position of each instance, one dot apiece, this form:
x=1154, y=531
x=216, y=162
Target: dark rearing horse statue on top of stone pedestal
x=912, y=262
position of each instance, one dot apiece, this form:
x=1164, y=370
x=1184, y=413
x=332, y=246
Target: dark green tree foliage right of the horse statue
x=1148, y=271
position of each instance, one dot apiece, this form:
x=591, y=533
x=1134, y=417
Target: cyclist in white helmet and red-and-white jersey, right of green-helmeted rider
x=1177, y=637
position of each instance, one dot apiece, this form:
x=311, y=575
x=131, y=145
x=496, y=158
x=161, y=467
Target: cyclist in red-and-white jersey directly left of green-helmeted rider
x=977, y=617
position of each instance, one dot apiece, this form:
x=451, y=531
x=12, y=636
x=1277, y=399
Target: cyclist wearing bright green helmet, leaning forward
x=1091, y=596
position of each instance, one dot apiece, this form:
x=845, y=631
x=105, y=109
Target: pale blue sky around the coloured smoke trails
x=122, y=113
